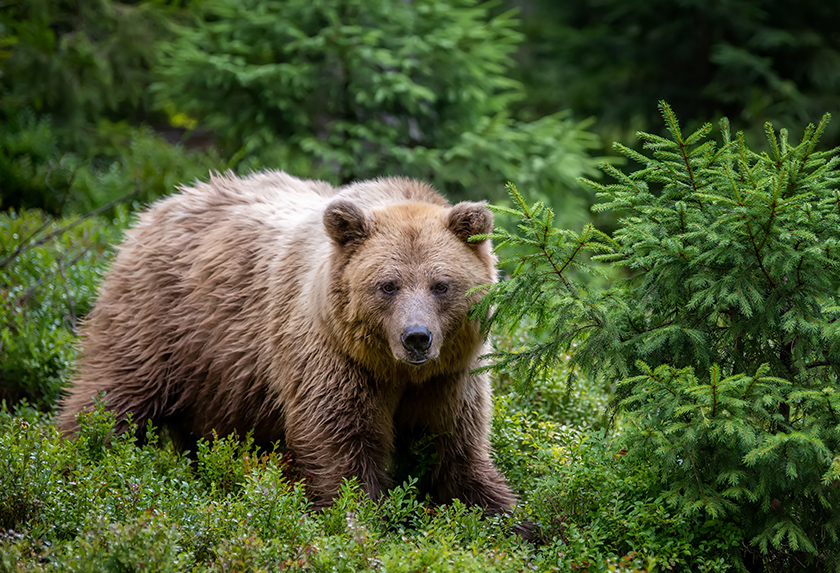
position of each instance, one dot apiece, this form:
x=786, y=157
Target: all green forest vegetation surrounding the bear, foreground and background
x=106, y=106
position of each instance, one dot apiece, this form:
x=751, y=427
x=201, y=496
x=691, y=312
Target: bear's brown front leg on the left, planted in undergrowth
x=340, y=432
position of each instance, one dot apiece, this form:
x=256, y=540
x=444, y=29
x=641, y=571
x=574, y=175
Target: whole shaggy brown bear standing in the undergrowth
x=332, y=319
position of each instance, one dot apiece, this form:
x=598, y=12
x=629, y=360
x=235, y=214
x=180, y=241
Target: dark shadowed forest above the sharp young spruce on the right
x=751, y=60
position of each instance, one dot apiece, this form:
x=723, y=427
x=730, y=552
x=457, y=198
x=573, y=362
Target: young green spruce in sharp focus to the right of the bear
x=729, y=289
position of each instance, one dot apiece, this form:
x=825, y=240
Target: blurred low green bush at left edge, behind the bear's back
x=39, y=169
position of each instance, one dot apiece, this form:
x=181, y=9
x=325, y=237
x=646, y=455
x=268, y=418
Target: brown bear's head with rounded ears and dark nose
x=401, y=274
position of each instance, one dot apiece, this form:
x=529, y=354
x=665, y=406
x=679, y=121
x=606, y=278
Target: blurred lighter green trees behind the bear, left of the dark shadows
x=333, y=90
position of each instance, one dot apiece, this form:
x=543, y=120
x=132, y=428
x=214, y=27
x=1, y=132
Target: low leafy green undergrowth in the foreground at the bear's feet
x=105, y=503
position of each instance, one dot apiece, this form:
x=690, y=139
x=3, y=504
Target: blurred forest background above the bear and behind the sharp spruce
x=101, y=98
